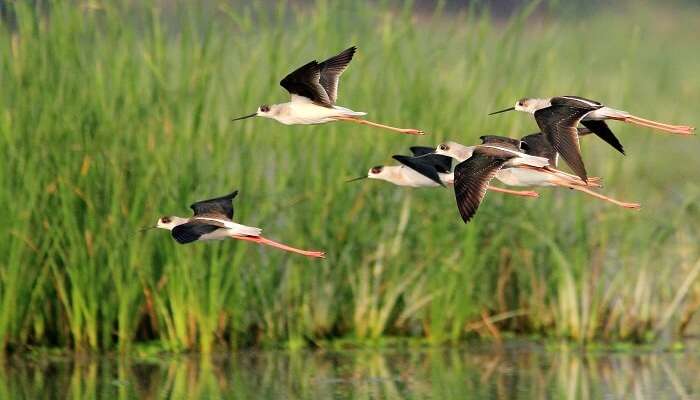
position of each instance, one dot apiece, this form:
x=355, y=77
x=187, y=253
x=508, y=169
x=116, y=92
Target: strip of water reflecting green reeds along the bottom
x=515, y=371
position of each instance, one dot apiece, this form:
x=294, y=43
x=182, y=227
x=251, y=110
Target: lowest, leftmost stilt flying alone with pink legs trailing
x=213, y=220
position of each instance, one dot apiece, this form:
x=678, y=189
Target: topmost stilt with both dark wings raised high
x=314, y=90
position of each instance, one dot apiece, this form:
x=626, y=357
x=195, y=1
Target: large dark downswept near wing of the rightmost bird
x=558, y=123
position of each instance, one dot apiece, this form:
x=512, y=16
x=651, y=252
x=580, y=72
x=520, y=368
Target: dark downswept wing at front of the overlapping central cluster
x=472, y=178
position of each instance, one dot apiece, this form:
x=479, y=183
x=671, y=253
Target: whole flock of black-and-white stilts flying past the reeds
x=530, y=161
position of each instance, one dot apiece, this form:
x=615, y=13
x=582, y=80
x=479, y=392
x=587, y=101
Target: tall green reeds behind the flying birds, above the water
x=115, y=113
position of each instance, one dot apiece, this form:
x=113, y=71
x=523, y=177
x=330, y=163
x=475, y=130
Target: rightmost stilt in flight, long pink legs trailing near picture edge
x=558, y=118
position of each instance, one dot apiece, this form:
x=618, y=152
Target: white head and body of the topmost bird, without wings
x=303, y=111
